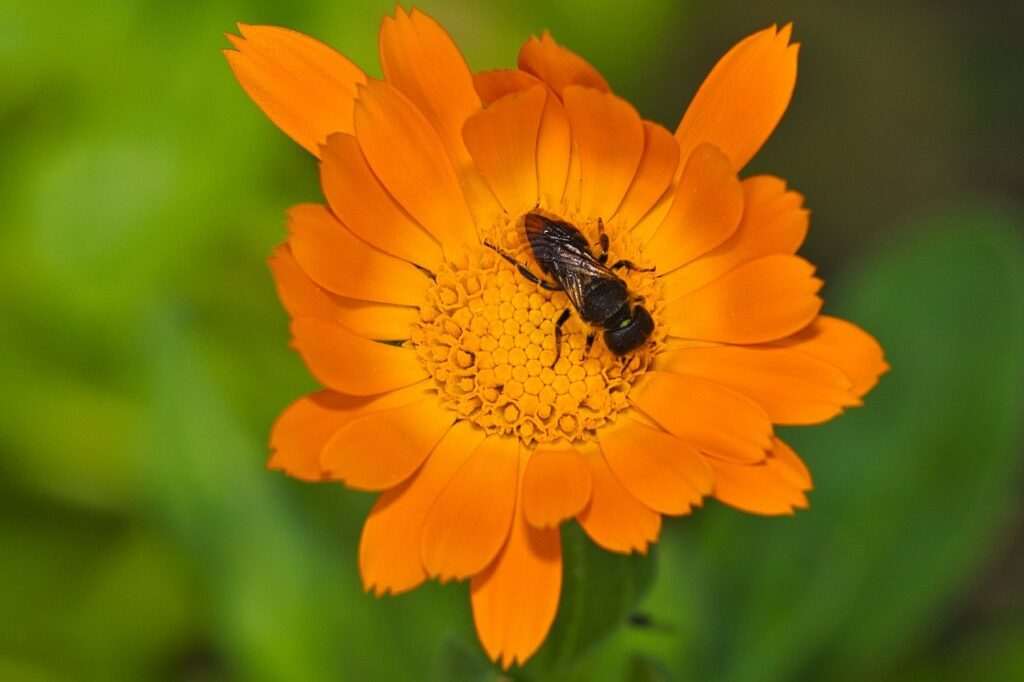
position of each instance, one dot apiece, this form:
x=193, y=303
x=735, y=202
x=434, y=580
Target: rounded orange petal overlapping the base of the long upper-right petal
x=706, y=211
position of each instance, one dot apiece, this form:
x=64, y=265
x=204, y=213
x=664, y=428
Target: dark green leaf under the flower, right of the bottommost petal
x=600, y=590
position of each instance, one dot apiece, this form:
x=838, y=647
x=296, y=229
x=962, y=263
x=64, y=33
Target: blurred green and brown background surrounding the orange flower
x=144, y=359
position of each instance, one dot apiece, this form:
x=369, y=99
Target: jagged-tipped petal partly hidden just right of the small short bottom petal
x=615, y=520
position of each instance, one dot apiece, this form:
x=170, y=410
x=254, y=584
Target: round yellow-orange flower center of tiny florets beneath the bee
x=487, y=335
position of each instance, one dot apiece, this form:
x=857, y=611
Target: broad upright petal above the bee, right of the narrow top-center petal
x=609, y=136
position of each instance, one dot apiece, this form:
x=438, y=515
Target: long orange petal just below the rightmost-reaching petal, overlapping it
x=792, y=388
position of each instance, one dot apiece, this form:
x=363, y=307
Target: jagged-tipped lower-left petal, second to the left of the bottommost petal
x=390, y=547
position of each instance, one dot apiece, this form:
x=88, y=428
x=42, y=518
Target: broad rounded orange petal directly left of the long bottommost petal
x=471, y=520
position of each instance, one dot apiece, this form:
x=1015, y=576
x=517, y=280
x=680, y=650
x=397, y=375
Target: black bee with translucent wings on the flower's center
x=600, y=296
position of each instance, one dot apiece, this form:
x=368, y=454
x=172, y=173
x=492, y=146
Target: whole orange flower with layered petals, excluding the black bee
x=447, y=392
